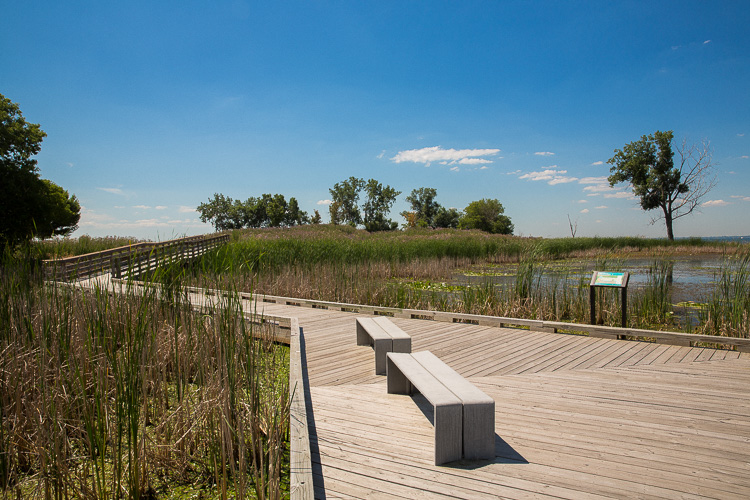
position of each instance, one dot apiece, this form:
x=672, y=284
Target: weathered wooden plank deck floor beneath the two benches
x=576, y=417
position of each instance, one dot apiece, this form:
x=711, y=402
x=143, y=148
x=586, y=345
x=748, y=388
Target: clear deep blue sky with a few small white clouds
x=152, y=107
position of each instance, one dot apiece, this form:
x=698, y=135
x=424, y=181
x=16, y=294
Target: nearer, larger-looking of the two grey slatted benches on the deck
x=464, y=417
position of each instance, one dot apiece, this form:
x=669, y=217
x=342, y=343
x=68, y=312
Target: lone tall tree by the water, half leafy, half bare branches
x=648, y=166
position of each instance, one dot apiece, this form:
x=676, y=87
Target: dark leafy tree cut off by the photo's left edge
x=29, y=206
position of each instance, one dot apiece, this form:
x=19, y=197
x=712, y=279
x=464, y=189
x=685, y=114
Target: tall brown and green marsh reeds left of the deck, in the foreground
x=133, y=395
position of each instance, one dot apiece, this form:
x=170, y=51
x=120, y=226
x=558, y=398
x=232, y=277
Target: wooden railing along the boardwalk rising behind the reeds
x=131, y=260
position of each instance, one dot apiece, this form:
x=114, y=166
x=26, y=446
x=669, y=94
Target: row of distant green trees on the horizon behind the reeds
x=356, y=202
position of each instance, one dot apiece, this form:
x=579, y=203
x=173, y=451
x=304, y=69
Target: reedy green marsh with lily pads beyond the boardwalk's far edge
x=416, y=269
